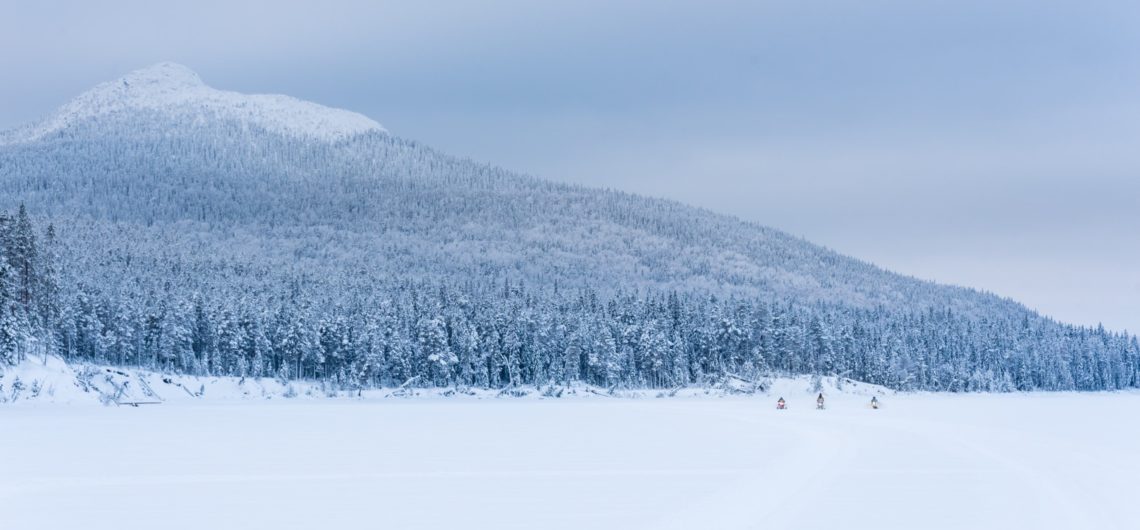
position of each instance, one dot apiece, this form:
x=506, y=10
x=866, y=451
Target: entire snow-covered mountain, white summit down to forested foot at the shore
x=219, y=233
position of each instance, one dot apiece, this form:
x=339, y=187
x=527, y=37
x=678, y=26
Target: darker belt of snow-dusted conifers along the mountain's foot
x=504, y=335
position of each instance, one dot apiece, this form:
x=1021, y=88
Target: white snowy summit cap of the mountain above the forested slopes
x=177, y=91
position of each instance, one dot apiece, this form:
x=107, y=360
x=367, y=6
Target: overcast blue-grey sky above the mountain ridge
x=995, y=145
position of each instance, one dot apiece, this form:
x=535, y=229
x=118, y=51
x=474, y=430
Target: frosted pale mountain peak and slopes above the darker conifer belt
x=158, y=150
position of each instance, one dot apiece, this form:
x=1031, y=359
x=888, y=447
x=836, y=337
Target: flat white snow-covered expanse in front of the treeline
x=923, y=461
